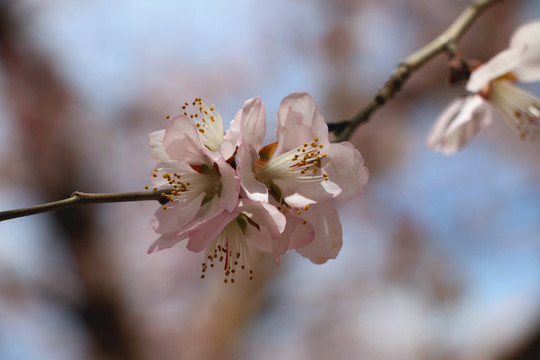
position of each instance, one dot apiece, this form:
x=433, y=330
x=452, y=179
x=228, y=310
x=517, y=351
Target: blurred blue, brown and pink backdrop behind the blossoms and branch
x=441, y=255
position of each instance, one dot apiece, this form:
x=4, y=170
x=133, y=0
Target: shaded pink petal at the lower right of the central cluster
x=328, y=234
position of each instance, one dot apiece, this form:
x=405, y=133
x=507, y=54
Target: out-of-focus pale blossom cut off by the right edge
x=490, y=85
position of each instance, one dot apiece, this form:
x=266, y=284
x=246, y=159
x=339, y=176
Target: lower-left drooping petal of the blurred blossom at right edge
x=458, y=124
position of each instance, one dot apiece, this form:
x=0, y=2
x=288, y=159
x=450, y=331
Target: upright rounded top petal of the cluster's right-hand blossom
x=300, y=108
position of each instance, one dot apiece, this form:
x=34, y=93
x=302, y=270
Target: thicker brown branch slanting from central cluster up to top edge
x=446, y=42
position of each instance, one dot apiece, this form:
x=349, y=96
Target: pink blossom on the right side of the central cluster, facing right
x=303, y=167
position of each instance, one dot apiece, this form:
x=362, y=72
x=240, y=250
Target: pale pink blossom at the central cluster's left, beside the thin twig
x=192, y=162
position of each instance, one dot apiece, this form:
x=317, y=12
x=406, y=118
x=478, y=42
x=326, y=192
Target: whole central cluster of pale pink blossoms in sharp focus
x=225, y=192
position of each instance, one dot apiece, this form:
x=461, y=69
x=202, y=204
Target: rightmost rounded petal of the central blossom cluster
x=345, y=167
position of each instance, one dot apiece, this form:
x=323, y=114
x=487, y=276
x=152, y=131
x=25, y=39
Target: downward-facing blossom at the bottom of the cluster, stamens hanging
x=228, y=236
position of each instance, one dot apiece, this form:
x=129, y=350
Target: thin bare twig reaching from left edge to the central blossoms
x=80, y=198
